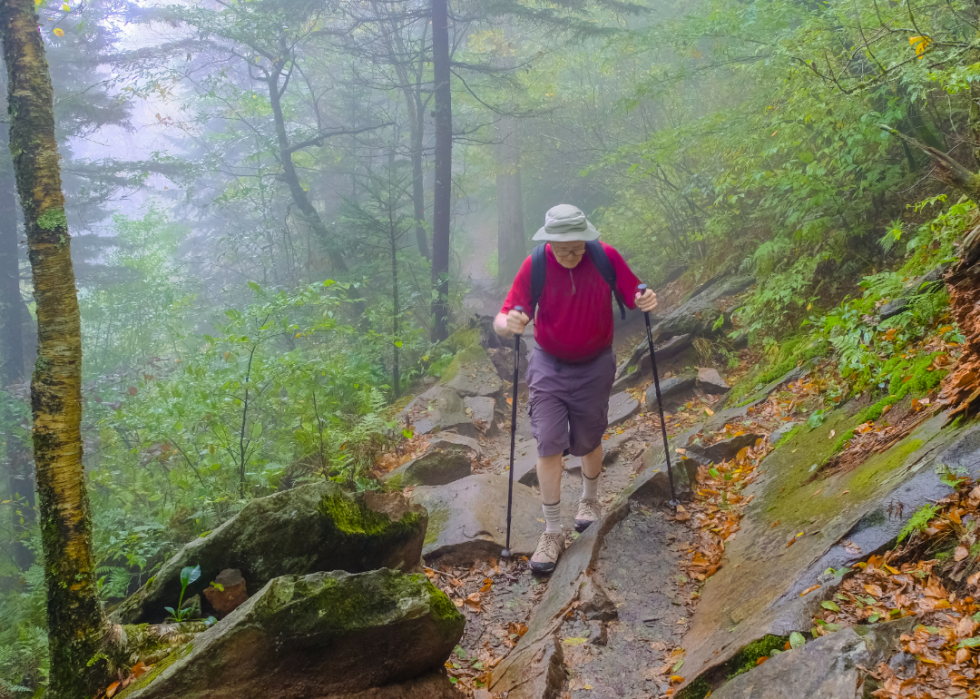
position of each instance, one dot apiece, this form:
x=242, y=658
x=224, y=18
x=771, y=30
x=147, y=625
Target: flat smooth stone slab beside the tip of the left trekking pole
x=468, y=519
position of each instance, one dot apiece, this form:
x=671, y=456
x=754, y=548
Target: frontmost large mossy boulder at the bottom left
x=314, y=636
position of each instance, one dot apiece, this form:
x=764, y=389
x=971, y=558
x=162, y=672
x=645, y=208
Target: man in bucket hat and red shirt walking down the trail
x=570, y=279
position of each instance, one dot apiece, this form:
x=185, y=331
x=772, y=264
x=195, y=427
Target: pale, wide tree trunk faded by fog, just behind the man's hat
x=511, y=242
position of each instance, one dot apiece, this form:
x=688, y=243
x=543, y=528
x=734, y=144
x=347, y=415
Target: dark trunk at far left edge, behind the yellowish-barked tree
x=13, y=369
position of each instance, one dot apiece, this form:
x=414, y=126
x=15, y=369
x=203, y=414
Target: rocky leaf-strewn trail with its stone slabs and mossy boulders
x=731, y=593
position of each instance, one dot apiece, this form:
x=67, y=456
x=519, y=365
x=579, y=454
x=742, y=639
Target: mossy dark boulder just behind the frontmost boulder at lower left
x=317, y=527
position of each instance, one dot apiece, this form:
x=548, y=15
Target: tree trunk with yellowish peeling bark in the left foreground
x=76, y=623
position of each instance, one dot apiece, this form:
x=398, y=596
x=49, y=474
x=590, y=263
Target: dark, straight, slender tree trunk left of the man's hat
x=442, y=198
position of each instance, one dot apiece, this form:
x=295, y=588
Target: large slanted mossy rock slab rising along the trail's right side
x=744, y=601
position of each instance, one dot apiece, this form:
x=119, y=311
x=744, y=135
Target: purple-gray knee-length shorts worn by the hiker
x=569, y=403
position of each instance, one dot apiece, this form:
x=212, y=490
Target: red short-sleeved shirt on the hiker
x=574, y=320
